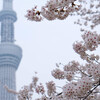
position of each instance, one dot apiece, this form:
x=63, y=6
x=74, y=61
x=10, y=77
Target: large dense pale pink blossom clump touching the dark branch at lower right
x=77, y=89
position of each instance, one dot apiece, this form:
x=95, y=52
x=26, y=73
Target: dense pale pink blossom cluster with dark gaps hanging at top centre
x=54, y=9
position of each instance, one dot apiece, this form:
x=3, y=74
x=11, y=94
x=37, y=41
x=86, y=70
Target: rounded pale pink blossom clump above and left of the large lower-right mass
x=67, y=72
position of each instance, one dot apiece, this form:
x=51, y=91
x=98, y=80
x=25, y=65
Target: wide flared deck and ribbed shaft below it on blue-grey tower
x=10, y=56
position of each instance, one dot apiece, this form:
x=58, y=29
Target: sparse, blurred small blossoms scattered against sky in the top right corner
x=89, y=13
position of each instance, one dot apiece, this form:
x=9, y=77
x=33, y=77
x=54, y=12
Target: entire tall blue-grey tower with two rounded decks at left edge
x=10, y=53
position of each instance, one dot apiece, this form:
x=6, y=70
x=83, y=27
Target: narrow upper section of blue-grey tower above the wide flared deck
x=7, y=18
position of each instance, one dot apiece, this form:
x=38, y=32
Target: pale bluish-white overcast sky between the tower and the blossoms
x=43, y=43
